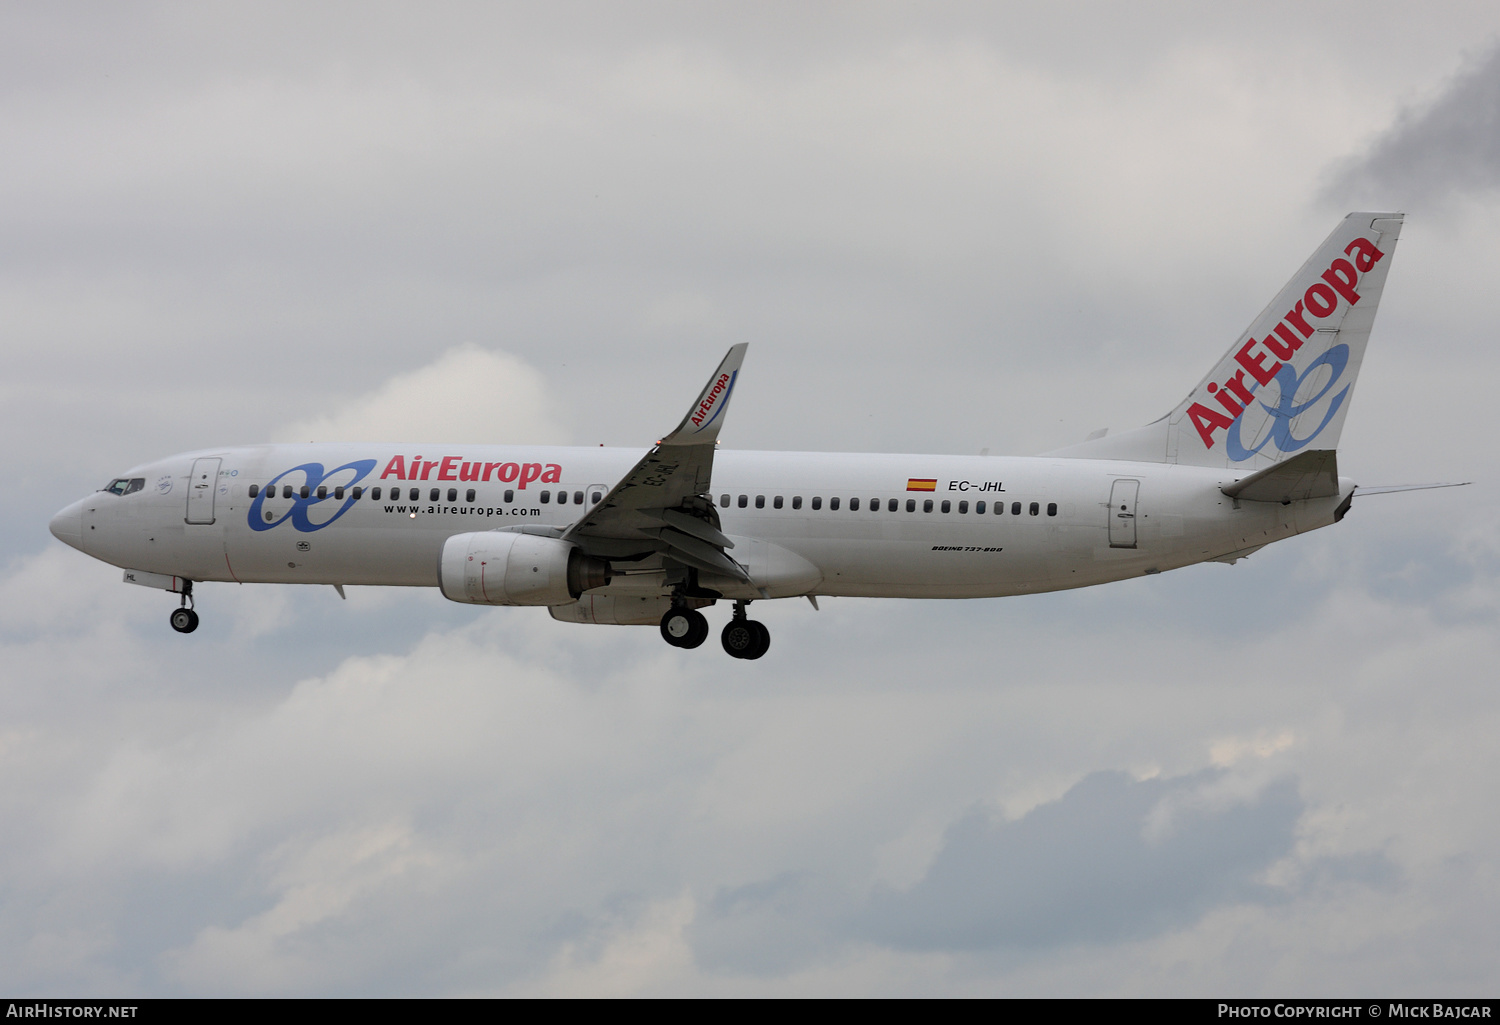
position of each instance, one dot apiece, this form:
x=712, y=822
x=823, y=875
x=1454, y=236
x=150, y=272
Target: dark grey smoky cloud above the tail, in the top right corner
x=1436, y=152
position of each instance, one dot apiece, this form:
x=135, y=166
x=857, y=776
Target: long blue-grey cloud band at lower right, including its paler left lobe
x=1114, y=859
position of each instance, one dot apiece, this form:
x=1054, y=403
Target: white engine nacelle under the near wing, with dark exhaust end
x=505, y=568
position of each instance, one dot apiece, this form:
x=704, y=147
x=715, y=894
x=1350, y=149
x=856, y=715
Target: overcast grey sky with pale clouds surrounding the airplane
x=941, y=229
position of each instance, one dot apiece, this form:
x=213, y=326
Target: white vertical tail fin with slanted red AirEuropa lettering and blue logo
x=1286, y=383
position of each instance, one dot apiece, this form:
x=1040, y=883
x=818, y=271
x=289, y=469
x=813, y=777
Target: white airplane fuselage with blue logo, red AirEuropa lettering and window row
x=1087, y=528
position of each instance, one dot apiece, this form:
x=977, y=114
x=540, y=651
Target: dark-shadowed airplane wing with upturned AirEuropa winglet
x=662, y=506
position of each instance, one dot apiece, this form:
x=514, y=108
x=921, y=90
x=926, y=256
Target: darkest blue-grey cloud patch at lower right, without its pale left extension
x=1090, y=868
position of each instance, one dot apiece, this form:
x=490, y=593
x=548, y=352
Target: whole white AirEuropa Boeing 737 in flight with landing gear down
x=613, y=537
